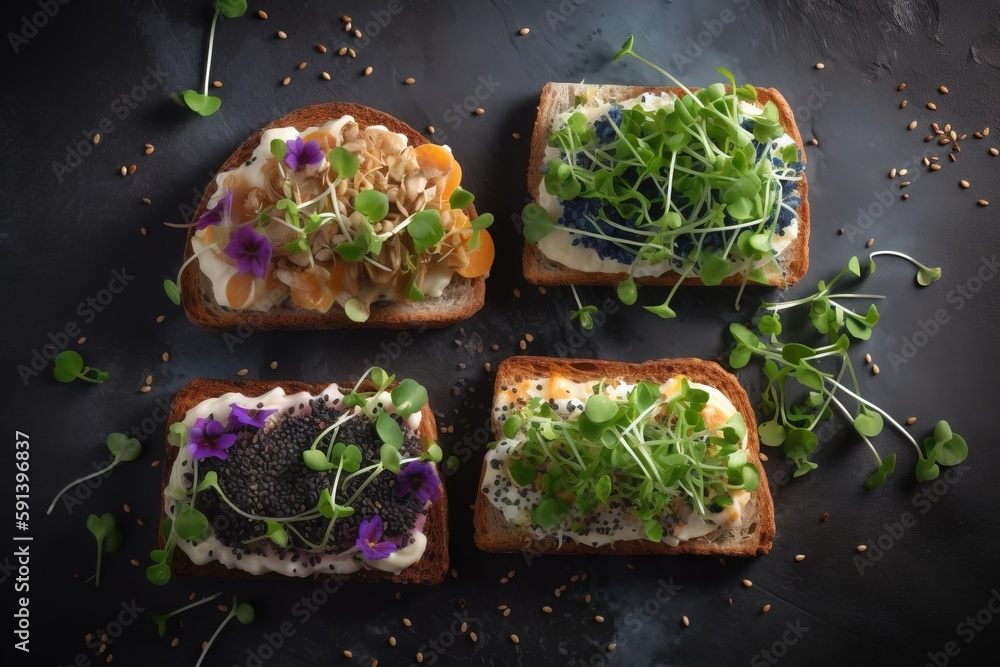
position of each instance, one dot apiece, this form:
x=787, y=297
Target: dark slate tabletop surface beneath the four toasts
x=67, y=232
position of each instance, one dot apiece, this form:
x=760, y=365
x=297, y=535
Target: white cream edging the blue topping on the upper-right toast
x=558, y=245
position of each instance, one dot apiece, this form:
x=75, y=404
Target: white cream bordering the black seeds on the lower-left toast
x=212, y=549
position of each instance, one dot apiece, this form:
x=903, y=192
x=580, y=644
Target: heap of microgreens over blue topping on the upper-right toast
x=701, y=186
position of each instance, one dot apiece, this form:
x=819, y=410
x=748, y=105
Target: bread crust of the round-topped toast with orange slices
x=460, y=300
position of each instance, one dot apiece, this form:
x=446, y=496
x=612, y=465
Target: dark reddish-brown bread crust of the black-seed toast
x=430, y=569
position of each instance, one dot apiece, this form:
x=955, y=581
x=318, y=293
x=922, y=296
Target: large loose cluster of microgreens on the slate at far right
x=791, y=418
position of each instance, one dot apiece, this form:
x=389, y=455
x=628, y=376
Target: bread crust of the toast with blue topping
x=558, y=97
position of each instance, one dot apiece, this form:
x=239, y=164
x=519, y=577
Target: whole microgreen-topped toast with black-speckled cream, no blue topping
x=616, y=458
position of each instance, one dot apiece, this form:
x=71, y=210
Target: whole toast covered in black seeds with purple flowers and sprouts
x=289, y=479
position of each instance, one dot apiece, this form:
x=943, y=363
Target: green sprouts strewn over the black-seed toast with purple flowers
x=326, y=453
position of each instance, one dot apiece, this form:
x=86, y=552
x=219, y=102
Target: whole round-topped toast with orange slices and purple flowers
x=335, y=215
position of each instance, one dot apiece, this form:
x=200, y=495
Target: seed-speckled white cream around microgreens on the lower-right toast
x=561, y=394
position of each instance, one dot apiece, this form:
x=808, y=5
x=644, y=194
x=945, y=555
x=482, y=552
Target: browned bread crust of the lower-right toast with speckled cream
x=494, y=533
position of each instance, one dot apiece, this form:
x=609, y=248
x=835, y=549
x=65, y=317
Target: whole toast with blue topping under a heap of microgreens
x=662, y=186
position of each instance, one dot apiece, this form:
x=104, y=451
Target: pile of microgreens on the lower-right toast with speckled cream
x=647, y=450
